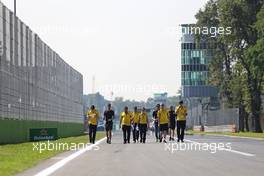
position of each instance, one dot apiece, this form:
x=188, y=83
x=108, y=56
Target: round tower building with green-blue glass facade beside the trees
x=195, y=57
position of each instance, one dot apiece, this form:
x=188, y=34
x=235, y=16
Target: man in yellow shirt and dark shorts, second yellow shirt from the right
x=163, y=118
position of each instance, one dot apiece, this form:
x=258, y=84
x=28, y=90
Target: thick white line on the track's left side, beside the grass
x=64, y=161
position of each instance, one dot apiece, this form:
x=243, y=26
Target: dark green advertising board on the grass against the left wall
x=40, y=134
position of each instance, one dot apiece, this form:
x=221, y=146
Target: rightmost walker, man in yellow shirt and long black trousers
x=181, y=113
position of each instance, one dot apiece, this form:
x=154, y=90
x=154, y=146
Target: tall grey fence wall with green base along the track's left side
x=37, y=88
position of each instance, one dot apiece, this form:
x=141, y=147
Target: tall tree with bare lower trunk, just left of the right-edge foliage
x=241, y=15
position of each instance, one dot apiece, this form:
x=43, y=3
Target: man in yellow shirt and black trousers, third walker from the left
x=125, y=124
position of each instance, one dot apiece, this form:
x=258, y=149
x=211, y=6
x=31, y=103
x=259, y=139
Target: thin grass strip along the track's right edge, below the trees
x=239, y=134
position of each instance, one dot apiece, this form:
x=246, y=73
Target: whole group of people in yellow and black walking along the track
x=164, y=121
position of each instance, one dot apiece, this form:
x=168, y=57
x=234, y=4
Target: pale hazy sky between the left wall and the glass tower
x=130, y=47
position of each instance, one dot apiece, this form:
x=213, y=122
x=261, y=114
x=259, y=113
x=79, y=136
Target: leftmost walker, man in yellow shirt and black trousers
x=93, y=116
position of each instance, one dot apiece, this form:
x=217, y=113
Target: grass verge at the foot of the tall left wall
x=15, y=158
